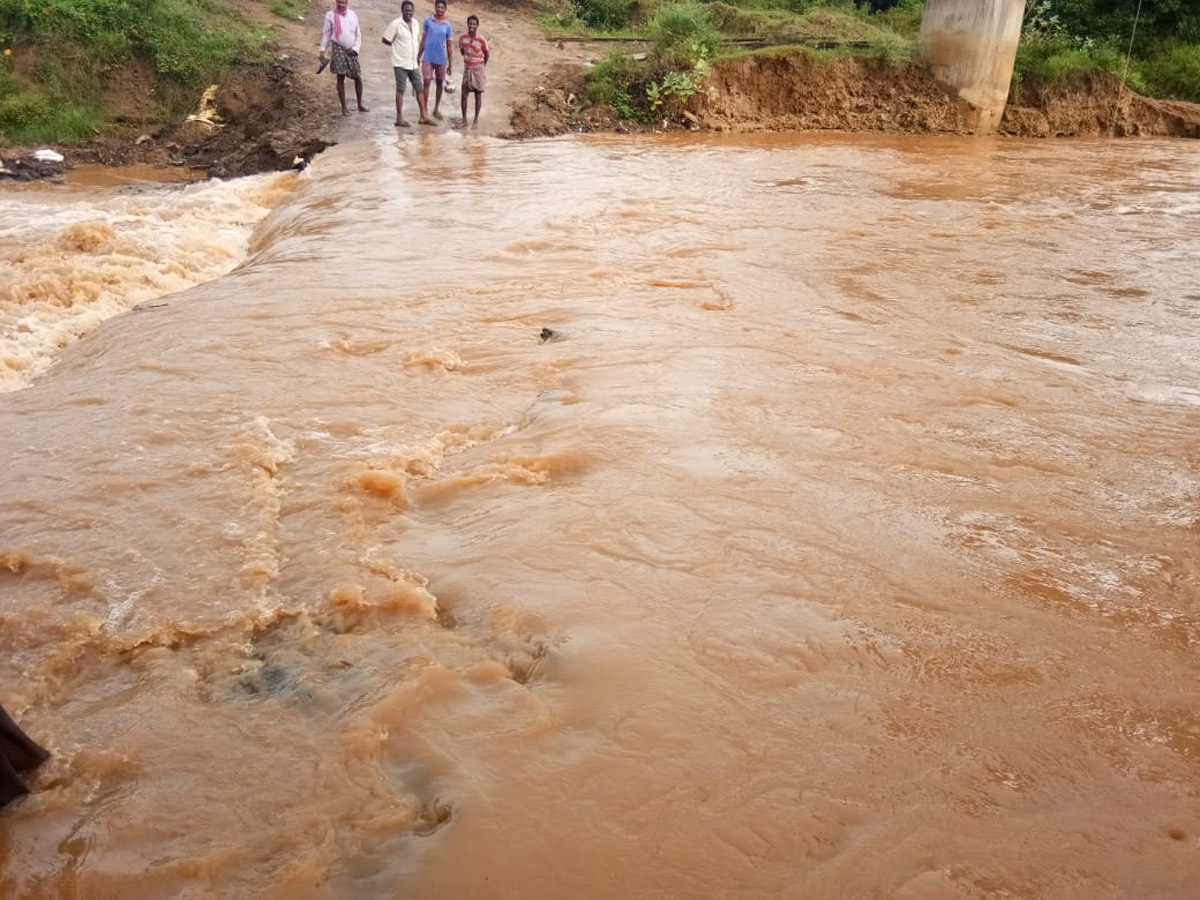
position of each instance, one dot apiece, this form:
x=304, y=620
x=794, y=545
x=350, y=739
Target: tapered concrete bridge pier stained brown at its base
x=971, y=46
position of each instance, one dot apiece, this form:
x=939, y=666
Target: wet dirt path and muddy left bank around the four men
x=272, y=115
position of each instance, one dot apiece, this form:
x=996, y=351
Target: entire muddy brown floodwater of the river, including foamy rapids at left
x=842, y=542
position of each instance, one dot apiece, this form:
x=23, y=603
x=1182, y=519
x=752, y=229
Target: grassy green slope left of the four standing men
x=63, y=53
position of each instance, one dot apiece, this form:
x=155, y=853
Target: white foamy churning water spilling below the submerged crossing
x=69, y=261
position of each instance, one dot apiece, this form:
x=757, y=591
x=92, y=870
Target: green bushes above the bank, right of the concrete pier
x=1063, y=38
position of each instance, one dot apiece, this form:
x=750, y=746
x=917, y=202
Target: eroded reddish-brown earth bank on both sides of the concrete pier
x=799, y=92
